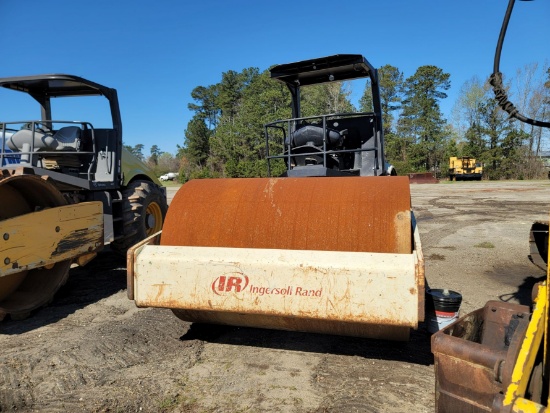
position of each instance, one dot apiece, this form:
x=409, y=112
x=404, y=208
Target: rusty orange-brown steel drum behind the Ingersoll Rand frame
x=355, y=214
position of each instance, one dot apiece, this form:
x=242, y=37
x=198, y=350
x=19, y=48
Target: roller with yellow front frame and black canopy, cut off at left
x=66, y=189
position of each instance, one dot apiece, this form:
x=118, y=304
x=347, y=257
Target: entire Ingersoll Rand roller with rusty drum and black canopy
x=331, y=246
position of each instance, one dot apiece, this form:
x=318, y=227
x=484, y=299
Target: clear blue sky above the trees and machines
x=155, y=53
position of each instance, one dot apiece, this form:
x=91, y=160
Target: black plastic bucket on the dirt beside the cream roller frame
x=442, y=308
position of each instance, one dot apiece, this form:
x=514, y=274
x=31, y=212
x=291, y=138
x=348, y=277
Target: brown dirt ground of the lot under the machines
x=92, y=350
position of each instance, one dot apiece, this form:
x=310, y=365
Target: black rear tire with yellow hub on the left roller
x=143, y=211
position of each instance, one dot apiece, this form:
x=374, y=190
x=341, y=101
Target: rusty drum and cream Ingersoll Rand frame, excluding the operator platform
x=334, y=255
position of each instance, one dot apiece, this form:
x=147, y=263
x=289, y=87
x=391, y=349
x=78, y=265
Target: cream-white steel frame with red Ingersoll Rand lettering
x=358, y=287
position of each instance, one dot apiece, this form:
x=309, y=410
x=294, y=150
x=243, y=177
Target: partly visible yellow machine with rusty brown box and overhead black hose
x=496, y=358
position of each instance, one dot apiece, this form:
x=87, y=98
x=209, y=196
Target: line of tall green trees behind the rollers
x=225, y=137
